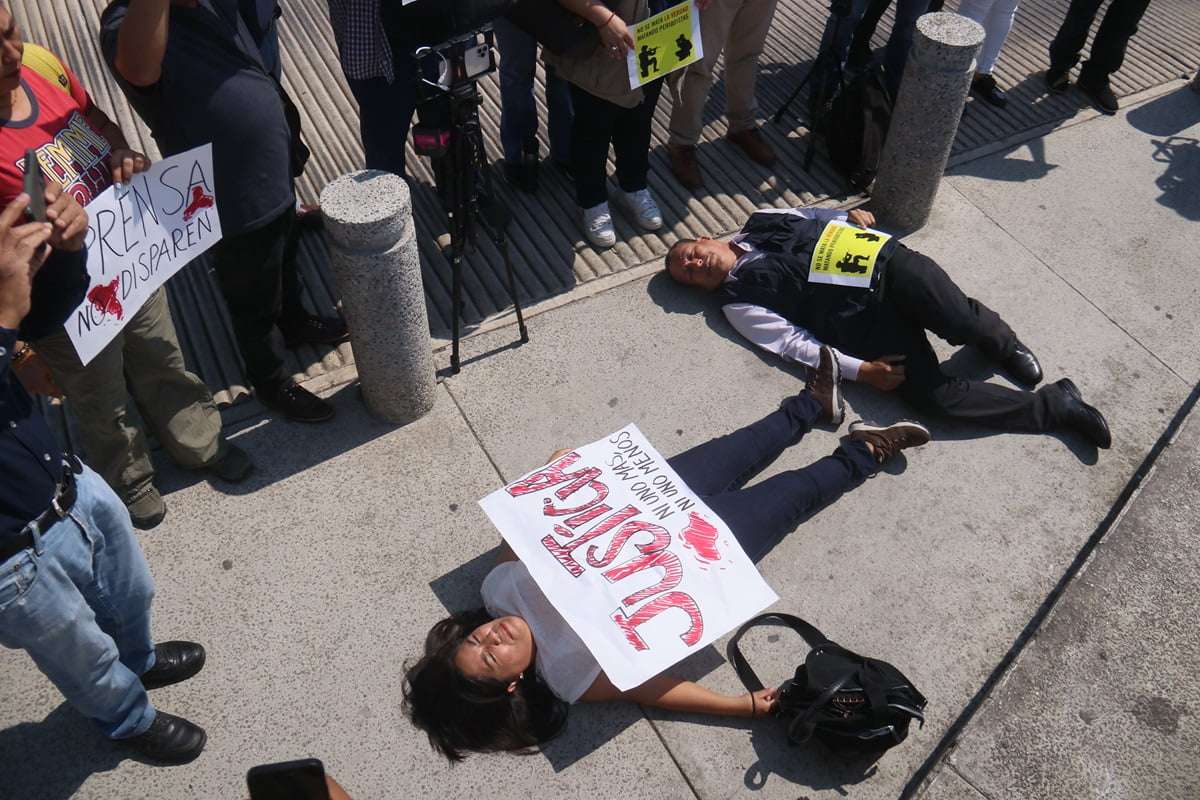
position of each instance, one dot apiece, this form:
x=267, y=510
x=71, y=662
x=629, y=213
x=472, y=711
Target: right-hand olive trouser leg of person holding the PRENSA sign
x=176, y=404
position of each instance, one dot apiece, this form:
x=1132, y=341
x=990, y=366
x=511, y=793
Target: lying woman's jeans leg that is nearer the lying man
x=728, y=462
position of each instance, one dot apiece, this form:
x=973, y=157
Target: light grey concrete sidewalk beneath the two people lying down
x=316, y=582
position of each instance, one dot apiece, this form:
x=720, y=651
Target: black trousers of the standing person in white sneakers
x=599, y=123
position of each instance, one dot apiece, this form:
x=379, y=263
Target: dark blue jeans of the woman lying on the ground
x=766, y=513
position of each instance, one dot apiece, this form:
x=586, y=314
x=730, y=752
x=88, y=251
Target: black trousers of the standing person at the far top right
x=1109, y=46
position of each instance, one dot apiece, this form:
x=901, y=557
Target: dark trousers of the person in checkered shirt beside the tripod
x=386, y=113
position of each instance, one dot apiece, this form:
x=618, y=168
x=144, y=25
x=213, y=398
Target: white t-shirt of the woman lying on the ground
x=563, y=661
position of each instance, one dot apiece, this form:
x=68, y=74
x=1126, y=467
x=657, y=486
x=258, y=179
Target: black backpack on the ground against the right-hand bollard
x=857, y=127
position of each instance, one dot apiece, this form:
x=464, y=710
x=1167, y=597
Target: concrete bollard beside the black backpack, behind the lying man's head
x=937, y=81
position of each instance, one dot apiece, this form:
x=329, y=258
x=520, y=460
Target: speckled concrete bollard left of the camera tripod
x=373, y=249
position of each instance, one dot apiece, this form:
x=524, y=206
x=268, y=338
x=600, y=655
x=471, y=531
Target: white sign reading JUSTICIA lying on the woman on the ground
x=637, y=564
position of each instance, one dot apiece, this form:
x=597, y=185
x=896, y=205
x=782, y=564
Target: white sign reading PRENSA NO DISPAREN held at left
x=140, y=234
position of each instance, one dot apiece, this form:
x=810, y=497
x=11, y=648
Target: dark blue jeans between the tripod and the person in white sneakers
x=519, y=111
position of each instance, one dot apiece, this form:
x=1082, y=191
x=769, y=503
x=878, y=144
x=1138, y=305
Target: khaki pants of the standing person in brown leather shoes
x=740, y=29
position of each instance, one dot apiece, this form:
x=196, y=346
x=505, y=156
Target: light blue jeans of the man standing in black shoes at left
x=79, y=603
